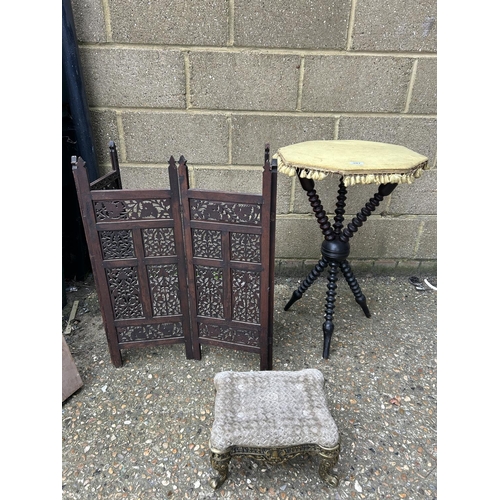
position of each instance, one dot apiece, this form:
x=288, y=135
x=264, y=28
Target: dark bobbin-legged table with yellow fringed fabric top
x=356, y=162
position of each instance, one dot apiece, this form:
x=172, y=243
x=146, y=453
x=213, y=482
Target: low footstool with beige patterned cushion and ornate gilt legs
x=272, y=416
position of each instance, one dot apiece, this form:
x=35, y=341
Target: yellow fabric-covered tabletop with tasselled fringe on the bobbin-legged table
x=359, y=162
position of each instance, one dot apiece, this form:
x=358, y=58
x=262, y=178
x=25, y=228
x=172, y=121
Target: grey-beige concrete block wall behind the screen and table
x=214, y=80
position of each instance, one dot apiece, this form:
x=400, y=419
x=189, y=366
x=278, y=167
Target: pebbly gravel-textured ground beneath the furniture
x=141, y=431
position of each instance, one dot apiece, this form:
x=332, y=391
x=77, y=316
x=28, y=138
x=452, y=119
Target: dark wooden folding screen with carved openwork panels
x=181, y=265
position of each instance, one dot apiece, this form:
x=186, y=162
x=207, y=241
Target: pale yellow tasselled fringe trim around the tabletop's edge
x=352, y=179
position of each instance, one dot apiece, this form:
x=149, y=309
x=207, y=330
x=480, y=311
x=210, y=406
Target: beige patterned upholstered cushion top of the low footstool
x=271, y=409
